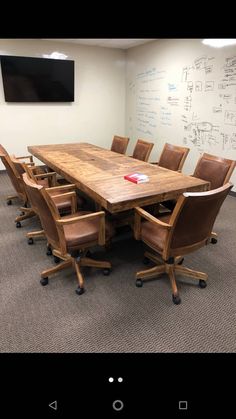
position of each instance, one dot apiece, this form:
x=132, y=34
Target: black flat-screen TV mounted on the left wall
x=27, y=79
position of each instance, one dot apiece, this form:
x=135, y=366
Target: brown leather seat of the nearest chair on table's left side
x=84, y=231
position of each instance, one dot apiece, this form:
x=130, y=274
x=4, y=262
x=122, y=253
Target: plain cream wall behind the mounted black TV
x=97, y=113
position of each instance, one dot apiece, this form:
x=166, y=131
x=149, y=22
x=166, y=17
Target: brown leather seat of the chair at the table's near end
x=153, y=234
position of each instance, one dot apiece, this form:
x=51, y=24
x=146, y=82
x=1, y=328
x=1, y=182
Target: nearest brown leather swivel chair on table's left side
x=71, y=236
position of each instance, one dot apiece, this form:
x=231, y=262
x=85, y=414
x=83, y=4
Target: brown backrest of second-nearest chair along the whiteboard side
x=173, y=157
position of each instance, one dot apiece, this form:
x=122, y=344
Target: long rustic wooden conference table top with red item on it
x=100, y=174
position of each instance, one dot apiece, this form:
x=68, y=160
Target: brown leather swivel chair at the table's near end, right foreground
x=175, y=235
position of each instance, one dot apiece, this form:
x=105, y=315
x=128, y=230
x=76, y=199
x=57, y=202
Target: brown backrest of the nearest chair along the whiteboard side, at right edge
x=216, y=170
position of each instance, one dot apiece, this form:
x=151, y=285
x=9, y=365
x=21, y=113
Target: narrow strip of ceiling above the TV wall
x=110, y=43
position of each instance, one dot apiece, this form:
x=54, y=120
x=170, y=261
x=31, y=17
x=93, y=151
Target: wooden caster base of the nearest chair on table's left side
x=77, y=263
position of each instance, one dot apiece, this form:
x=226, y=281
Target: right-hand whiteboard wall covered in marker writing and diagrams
x=184, y=93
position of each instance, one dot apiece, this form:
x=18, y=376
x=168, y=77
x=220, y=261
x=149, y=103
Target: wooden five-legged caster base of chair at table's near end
x=171, y=269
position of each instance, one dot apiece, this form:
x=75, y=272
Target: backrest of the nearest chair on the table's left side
x=38, y=199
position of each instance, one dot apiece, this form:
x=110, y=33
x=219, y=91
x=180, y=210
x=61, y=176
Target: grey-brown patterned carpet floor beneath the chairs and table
x=114, y=315
